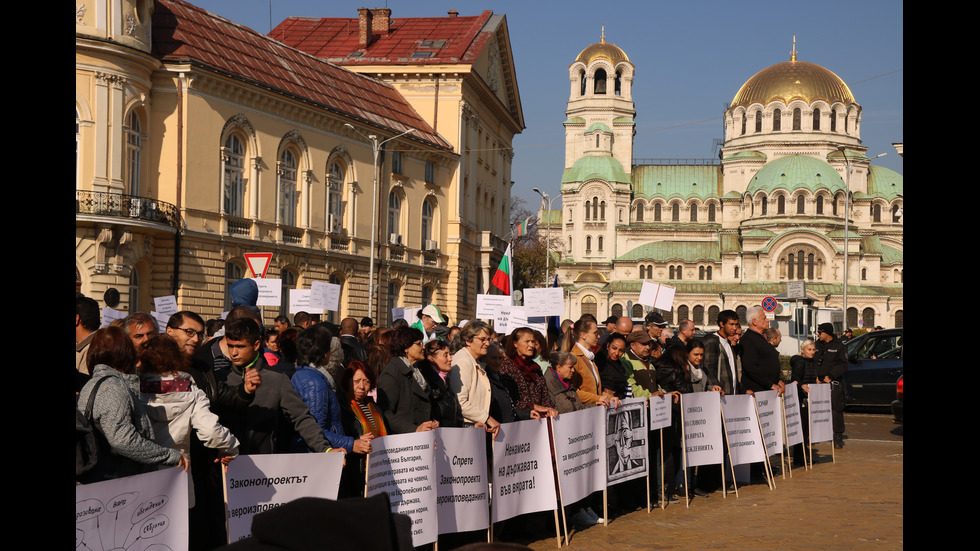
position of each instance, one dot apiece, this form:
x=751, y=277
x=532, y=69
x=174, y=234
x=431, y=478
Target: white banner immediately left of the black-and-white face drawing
x=580, y=459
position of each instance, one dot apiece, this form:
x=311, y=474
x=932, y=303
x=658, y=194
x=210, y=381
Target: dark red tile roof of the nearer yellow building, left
x=186, y=33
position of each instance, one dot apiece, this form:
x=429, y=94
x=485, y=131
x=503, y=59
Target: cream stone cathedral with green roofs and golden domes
x=730, y=232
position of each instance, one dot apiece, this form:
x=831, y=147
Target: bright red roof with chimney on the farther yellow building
x=335, y=38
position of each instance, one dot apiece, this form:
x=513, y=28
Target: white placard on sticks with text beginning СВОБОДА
x=701, y=414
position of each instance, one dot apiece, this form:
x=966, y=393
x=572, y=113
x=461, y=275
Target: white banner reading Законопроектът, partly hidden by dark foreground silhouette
x=257, y=483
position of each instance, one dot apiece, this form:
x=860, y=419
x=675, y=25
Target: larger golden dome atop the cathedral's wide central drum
x=792, y=80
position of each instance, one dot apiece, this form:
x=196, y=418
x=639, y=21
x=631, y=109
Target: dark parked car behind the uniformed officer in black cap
x=874, y=364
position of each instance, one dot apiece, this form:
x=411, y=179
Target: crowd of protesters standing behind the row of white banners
x=197, y=393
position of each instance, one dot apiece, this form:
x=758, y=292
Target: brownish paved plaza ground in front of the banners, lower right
x=855, y=503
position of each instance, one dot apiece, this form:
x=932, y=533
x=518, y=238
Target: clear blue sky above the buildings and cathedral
x=691, y=58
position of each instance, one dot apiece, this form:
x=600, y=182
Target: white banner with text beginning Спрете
x=462, y=489
